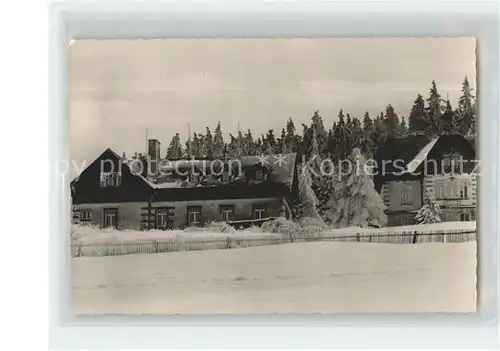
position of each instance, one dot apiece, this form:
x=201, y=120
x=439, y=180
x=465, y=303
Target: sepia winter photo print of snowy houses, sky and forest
x=273, y=175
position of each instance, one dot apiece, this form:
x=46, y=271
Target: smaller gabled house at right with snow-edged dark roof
x=413, y=167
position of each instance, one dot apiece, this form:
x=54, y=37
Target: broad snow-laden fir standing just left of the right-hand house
x=355, y=201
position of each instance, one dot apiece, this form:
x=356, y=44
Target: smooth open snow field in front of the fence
x=316, y=277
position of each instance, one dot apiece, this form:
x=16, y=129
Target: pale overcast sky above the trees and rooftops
x=118, y=88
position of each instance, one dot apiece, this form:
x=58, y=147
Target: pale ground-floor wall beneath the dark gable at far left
x=129, y=213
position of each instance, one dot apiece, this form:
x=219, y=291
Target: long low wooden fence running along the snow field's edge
x=187, y=243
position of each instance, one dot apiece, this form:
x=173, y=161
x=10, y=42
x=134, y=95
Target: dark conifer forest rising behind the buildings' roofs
x=431, y=116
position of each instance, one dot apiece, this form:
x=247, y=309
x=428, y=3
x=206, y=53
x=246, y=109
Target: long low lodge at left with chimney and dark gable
x=133, y=194
